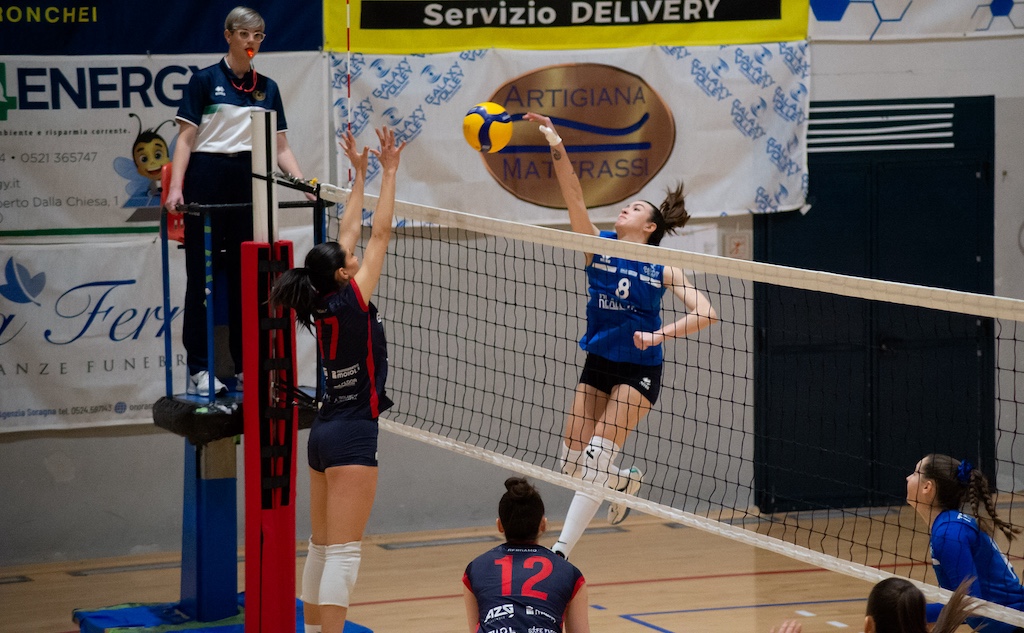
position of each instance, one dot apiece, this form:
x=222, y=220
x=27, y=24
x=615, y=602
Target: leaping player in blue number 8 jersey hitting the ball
x=622, y=376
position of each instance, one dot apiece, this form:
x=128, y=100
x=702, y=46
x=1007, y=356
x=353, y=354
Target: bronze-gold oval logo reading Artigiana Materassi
x=618, y=132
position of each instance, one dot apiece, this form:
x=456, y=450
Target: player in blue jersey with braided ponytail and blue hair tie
x=961, y=543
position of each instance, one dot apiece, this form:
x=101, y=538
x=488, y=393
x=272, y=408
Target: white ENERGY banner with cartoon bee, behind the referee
x=82, y=140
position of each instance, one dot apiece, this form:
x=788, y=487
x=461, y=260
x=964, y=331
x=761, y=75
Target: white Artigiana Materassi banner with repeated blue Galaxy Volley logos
x=731, y=122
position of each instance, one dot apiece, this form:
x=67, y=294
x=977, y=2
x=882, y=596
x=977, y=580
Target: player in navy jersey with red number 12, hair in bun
x=521, y=586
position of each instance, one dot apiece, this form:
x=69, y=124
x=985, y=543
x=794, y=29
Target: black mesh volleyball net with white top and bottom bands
x=484, y=321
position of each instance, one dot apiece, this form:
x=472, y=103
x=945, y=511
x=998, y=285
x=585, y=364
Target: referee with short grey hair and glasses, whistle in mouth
x=212, y=164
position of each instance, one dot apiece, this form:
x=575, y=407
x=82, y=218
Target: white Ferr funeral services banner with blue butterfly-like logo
x=82, y=332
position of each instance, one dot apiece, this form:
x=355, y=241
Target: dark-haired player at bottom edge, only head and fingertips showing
x=897, y=606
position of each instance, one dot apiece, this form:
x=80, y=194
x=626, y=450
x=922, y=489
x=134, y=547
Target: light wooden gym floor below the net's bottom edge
x=645, y=576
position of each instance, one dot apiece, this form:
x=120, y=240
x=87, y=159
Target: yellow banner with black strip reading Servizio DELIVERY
x=400, y=27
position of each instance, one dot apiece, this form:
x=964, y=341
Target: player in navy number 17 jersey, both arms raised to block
x=332, y=293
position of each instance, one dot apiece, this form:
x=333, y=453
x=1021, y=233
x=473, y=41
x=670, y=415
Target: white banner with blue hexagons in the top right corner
x=904, y=20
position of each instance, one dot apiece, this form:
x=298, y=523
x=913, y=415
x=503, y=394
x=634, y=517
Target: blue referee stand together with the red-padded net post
x=269, y=416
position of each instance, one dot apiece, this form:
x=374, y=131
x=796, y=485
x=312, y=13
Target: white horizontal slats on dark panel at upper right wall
x=880, y=128
